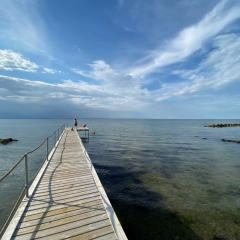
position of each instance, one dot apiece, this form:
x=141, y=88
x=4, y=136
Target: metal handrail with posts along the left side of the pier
x=25, y=157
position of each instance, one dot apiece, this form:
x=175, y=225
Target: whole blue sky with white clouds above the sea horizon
x=120, y=59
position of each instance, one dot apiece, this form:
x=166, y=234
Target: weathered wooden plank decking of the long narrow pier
x=68, y=202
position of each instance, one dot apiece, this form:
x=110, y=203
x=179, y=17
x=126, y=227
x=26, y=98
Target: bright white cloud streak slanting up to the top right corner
x=189, y=40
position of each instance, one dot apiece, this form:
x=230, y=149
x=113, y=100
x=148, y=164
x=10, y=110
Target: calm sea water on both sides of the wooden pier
x=166, y=179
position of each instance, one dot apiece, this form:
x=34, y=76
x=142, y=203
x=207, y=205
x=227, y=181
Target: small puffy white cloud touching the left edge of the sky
x=10, y=60
